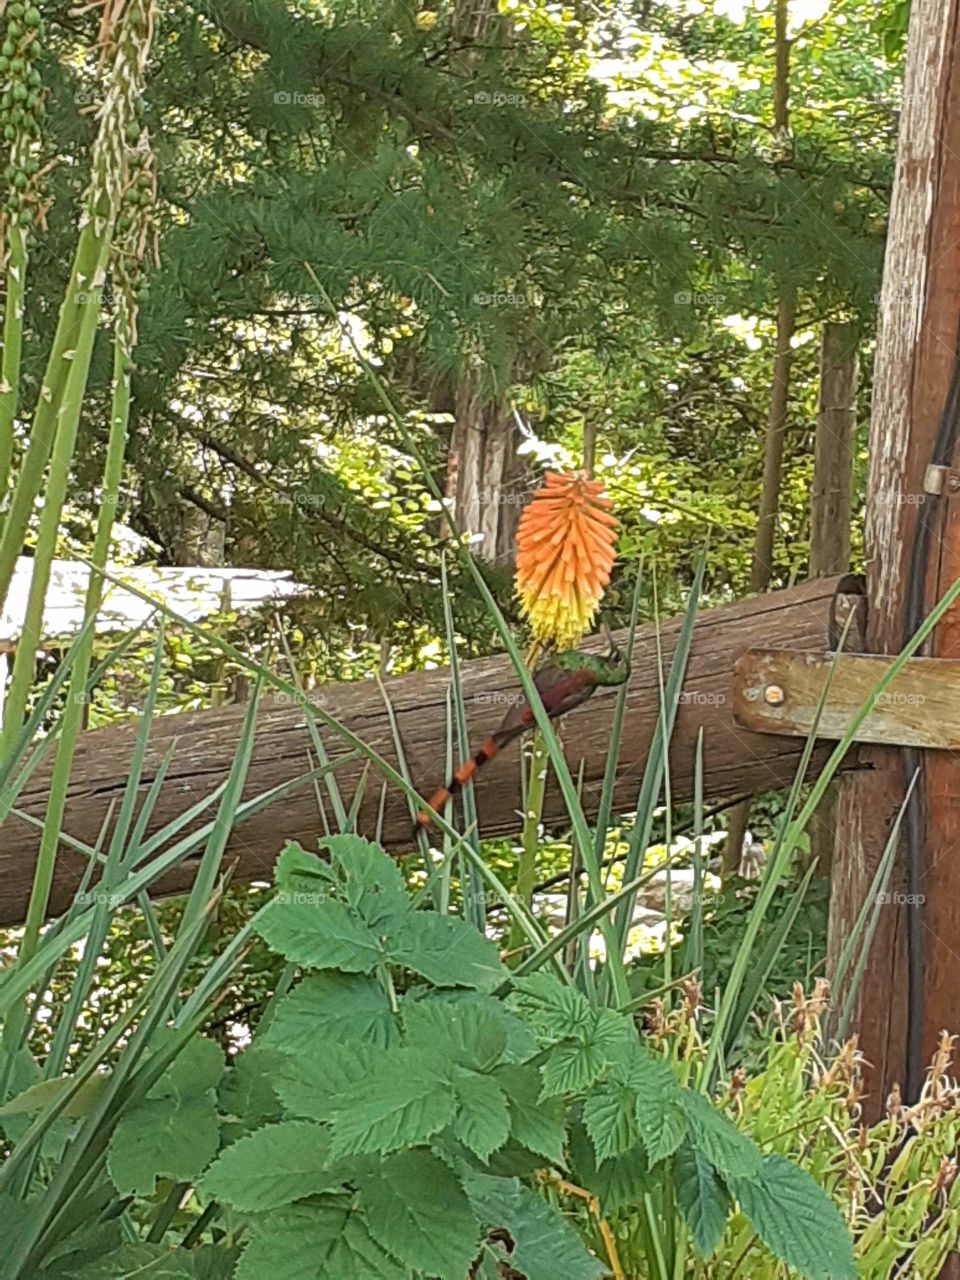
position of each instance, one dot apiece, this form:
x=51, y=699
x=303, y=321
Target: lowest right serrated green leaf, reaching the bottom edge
x=797, y=1220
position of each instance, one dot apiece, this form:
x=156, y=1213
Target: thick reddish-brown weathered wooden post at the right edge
x=916, y=355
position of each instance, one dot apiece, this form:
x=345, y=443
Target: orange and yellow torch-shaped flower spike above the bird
x=565, y=556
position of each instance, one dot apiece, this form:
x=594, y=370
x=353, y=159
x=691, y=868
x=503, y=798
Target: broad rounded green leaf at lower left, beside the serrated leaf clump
x=163, y=1139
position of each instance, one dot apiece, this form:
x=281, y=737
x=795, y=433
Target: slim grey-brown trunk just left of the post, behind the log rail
x=831, y=510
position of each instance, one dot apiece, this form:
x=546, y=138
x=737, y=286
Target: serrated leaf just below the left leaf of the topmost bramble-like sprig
x=332, y=1009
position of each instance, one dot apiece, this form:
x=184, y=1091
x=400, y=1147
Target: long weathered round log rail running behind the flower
x=737, y=761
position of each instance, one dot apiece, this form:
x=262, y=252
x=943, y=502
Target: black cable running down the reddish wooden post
x=916, y=822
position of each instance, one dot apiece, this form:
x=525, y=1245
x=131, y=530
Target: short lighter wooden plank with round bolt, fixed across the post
x=779, y=692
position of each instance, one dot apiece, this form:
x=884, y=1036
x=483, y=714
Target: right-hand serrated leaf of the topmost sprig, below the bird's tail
x=447, y=952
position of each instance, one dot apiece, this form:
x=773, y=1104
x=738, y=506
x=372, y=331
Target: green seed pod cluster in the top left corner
x=21, y=107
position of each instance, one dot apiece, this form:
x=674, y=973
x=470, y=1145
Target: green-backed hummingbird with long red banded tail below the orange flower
x=563, y=683
